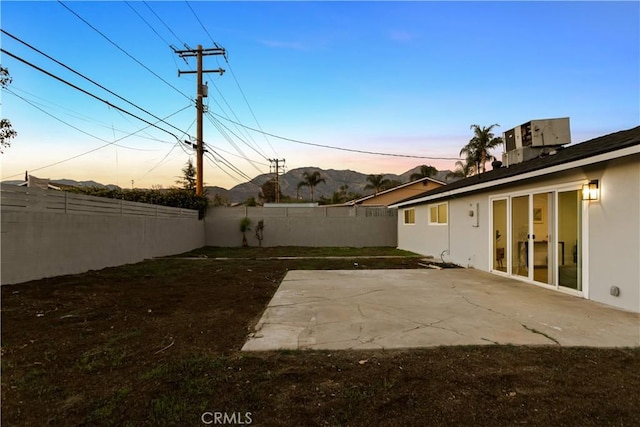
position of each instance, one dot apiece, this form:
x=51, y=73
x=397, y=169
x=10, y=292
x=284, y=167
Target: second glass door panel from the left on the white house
x=520, y=236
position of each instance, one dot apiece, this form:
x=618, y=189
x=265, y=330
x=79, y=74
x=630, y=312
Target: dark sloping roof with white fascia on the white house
x=606, y=147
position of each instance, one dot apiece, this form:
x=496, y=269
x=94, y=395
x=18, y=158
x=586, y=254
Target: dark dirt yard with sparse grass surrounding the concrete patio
x=158, y=343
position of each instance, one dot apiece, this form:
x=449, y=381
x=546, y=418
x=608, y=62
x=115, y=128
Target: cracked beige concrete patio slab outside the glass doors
x=384, y=309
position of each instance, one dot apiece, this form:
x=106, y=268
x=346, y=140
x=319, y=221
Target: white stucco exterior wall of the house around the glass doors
x=612, y=226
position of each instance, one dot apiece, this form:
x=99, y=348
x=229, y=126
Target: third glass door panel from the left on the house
x=541, y=238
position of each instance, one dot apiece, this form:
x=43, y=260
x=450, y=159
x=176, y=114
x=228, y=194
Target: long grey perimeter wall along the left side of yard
x=42, y=244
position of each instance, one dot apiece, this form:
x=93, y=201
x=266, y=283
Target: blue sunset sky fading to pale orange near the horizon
x=402, y=78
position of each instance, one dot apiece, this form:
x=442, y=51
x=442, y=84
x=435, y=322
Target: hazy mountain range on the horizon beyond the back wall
x=289, y=183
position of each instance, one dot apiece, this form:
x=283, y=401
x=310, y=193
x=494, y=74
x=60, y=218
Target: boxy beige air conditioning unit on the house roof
x=534, y=139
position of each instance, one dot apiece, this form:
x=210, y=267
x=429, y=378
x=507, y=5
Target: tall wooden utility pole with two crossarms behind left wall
x=202, y=92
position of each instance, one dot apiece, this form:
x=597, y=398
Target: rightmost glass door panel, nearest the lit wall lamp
x=569, y=239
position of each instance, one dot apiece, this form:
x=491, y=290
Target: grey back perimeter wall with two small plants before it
x=317, y=226
